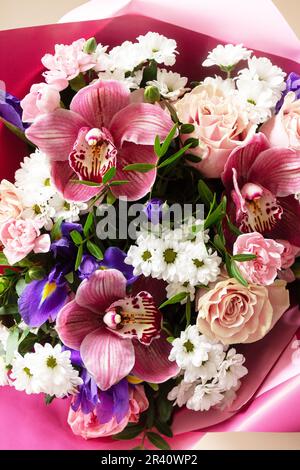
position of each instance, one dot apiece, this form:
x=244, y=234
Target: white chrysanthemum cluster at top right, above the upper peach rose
x=258, y=86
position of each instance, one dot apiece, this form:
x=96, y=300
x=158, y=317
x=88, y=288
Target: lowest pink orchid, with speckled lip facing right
x=116, y=334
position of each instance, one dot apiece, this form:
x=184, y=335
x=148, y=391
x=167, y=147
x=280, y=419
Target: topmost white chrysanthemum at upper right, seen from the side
x=227, y=56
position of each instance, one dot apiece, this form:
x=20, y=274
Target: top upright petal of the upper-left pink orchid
x=98, y=103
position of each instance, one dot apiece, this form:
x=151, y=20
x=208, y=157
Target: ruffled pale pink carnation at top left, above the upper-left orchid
x=67, y=63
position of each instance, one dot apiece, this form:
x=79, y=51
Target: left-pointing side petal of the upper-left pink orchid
x=55, y=133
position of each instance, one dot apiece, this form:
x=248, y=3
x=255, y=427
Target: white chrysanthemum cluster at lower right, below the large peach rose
x=211, y=375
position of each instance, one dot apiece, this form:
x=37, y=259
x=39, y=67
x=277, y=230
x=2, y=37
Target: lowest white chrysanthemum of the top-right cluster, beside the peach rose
x=257, y=99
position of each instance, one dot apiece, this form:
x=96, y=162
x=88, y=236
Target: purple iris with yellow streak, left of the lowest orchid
x=42, y=300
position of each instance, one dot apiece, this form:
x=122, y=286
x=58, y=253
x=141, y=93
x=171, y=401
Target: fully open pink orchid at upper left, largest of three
x=101, y=130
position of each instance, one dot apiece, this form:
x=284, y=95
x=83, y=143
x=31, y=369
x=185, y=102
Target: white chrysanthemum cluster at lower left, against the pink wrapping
x=47, y=370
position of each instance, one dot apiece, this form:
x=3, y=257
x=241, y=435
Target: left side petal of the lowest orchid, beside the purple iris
x=74, y=322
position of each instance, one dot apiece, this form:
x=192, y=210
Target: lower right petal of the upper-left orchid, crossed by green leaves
x=139, y=183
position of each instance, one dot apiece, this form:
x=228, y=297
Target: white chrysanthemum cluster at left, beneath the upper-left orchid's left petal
x=39, y=196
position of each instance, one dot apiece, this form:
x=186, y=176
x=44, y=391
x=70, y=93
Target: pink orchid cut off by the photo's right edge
x=262, y=182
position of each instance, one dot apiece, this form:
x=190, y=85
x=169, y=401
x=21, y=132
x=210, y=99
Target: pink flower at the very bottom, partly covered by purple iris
x=88, y=426
